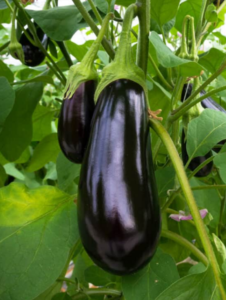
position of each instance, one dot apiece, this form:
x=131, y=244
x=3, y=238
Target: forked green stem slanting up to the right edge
x=181, y=110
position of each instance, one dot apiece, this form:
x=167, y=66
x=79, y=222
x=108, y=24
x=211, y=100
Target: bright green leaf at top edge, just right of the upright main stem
x=162, y=11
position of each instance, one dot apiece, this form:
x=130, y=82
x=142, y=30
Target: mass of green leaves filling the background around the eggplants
x=38, y=185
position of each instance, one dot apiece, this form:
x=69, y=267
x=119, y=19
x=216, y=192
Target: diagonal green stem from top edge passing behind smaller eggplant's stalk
x=107, y=46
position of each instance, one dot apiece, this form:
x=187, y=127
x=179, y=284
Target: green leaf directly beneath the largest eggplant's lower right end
x=147, y=284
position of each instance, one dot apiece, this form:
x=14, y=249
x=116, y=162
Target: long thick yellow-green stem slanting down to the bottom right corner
x=183, y=180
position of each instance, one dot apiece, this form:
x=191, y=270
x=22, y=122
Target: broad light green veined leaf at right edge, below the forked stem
x=205, y=131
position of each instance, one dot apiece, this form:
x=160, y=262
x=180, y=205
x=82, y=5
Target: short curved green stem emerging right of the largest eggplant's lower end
x=185, y=243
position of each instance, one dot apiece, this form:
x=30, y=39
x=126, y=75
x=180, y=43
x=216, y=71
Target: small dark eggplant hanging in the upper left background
x=33, y=56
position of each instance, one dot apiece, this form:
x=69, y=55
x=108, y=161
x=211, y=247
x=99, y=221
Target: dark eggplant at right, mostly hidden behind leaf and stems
x=197, y=161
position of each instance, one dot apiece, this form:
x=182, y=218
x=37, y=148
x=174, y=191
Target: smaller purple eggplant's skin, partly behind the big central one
x=74, y=122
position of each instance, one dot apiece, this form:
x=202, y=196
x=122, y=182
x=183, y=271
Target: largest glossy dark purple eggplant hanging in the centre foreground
x=118, y=210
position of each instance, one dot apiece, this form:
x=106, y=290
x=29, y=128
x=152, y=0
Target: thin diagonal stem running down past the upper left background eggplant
x=39, y=44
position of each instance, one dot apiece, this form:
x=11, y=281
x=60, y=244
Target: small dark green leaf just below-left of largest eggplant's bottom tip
x=98, y=277
